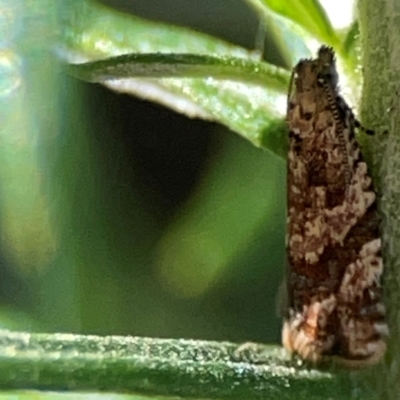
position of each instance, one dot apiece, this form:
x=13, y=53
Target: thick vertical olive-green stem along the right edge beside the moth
x=380, y=28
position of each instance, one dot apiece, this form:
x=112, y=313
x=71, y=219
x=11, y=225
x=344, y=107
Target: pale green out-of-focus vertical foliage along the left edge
x=25, y=214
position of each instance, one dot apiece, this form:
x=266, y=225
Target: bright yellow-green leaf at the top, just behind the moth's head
x=296, y=24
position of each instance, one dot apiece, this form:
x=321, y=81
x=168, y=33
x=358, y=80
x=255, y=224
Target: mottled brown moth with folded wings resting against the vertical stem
x=333, y=239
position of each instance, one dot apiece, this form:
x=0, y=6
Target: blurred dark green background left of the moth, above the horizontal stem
x=119, y=216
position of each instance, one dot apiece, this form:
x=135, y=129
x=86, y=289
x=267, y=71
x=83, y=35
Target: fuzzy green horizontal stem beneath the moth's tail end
x=163, y=367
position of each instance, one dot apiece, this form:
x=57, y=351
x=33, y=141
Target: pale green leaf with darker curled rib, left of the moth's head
x=248, y=101
